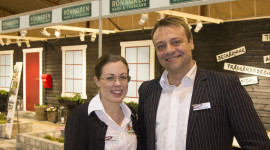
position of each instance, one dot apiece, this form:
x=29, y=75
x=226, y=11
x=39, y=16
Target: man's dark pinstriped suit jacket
x=231, y=114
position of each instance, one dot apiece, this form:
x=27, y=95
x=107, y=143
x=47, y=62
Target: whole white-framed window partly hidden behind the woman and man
x=140, y=58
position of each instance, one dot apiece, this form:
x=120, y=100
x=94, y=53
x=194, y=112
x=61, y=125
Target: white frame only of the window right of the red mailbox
x=74, y=47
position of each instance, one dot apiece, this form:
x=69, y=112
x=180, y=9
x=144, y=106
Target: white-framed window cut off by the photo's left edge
x=6, y=67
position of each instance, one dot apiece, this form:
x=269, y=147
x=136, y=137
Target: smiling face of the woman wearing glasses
x=113, y=82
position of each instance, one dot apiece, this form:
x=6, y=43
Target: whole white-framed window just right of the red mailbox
x=74, y=70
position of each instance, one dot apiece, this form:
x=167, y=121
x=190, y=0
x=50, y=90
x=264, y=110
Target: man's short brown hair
x=172, y=21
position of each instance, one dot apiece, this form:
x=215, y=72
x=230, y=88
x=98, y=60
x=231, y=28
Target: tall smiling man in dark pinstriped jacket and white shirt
x=192, y=108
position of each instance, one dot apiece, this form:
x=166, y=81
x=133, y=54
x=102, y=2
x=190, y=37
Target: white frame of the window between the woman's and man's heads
x=142, y=43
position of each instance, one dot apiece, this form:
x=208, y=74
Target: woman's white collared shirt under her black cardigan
x=117, y=137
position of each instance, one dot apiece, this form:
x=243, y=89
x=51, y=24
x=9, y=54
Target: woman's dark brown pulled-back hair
x=105, y=59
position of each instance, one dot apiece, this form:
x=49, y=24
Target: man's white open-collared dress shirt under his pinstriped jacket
x=173, y=112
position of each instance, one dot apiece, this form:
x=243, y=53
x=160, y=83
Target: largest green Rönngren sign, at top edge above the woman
x=125, y=5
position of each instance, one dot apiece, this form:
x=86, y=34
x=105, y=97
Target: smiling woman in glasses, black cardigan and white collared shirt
x=106, y=122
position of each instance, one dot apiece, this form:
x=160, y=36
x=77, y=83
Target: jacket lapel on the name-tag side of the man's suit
x=198, y=90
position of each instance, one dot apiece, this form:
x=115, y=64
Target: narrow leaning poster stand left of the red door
x=14, y=88
